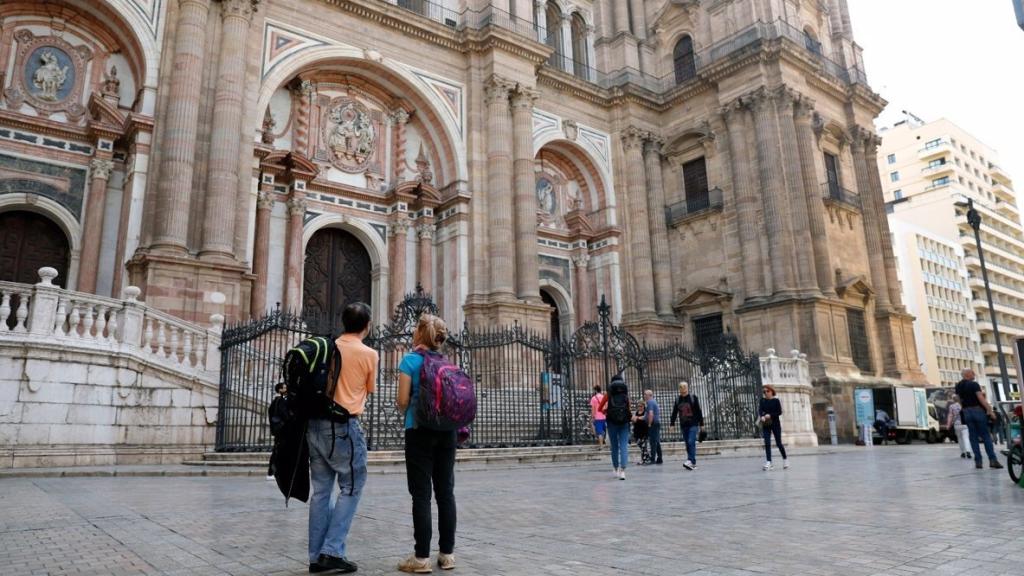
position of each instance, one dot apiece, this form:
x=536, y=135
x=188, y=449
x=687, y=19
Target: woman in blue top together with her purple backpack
x=438, y=399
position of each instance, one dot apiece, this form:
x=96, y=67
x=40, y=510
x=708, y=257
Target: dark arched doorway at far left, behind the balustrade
x=29, y=242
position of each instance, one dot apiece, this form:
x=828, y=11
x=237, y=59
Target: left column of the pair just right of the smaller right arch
x=639, y=233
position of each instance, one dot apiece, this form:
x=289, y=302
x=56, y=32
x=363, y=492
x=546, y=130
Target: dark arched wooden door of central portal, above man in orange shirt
x=337, y=273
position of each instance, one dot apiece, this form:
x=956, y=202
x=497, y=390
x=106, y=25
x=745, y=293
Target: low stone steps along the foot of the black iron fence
x=385, y=462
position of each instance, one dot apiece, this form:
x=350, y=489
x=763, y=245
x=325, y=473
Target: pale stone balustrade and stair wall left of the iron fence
x=88, y=380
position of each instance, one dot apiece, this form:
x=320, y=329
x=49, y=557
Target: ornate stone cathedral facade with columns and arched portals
x=705, y=167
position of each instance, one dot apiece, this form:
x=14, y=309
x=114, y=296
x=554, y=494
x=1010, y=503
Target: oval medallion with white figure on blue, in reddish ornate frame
x=51, y=76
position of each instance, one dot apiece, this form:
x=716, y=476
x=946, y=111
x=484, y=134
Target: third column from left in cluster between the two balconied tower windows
x=806, y=275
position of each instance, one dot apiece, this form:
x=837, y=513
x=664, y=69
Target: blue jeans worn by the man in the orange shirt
x=330, y=521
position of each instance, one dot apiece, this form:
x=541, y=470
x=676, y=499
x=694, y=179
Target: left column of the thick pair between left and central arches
x=178, y=162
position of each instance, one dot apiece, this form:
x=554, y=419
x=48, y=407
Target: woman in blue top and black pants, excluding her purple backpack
x=430, y=458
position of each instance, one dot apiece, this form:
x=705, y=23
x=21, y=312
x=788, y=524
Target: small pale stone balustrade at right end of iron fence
x=792, y=380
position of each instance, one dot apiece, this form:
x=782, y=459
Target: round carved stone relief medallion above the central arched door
x=350, y=135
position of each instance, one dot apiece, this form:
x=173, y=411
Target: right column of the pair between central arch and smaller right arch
x=528, y=276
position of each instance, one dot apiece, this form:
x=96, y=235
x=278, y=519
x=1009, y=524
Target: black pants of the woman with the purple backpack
x=431, y=461
